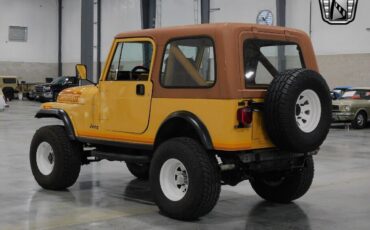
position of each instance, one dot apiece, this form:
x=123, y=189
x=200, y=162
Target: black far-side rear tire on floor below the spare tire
x=284, y=187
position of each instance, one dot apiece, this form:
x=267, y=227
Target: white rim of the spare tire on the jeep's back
x=308, y=111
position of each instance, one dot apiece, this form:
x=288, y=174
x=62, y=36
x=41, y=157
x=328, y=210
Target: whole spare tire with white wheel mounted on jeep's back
x=297, y=113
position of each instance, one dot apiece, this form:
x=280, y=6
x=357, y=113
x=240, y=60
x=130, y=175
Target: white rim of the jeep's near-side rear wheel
x=173, y=179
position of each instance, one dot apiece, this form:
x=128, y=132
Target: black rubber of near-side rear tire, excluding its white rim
x=203, y=177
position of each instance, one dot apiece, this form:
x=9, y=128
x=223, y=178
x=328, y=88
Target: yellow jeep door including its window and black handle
x=126, y=88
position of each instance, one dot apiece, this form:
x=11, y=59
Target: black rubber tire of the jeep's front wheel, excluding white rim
x=67, y=158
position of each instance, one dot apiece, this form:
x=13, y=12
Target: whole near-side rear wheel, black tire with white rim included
x=185, y=179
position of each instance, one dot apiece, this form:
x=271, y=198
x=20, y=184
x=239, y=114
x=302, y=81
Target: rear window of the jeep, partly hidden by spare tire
x=264, y=59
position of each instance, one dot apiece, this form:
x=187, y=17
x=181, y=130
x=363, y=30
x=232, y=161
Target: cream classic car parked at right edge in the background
x=353, y=106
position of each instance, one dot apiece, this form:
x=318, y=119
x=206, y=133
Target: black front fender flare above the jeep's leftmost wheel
x=61, y=115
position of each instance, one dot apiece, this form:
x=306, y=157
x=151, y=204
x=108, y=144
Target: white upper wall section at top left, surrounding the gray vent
x=40, y=16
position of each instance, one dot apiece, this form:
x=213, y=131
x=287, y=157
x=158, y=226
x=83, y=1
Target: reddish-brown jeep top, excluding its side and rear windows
x=228, y=39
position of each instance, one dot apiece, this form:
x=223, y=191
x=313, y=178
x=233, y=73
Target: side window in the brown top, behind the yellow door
x=189, y=63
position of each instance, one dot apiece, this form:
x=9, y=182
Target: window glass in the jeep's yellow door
x=131, y=62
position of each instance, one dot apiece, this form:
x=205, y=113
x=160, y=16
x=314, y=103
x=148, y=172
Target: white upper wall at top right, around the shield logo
x=331, y=39
